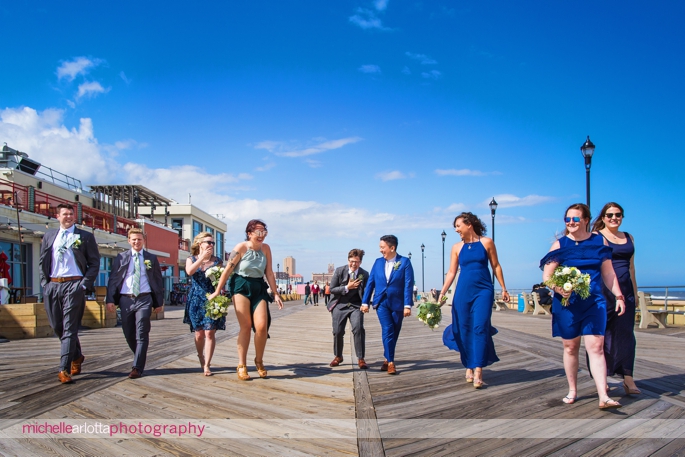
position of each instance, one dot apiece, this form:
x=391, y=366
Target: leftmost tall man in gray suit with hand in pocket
x=69, y=263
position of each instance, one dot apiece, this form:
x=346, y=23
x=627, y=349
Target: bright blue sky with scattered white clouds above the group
x=338, y=122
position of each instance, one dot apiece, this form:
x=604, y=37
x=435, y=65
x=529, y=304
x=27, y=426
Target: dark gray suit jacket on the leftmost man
x=87, y=257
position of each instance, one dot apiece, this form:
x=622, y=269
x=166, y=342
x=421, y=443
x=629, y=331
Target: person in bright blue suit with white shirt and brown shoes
x=390, y=281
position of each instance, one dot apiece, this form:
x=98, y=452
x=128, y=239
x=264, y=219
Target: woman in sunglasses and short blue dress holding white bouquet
x=583, y=317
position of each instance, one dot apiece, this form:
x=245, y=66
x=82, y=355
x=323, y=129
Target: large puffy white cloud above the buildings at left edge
x=46, y=139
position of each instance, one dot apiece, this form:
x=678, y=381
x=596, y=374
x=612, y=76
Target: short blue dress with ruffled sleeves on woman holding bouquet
x=581, y=316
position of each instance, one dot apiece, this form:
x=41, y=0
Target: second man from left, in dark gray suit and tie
x=136, y=285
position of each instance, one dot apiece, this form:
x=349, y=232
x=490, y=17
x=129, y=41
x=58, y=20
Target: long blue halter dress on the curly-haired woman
x=471, y=330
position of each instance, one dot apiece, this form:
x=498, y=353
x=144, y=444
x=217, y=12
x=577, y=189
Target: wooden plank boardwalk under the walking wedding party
x=308, y=408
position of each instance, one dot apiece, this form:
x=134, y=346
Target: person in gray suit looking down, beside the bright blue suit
x=347, y=287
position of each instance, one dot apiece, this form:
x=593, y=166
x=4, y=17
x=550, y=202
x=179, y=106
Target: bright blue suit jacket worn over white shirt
x=397, y=292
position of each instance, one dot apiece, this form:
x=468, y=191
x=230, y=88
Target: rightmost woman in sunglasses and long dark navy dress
x=619, y=339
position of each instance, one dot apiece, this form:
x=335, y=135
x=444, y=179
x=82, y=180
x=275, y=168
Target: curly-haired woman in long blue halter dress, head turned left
x=471, y=330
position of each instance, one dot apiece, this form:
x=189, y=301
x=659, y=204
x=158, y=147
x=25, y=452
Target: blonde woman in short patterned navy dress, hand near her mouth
x=202, y=258
